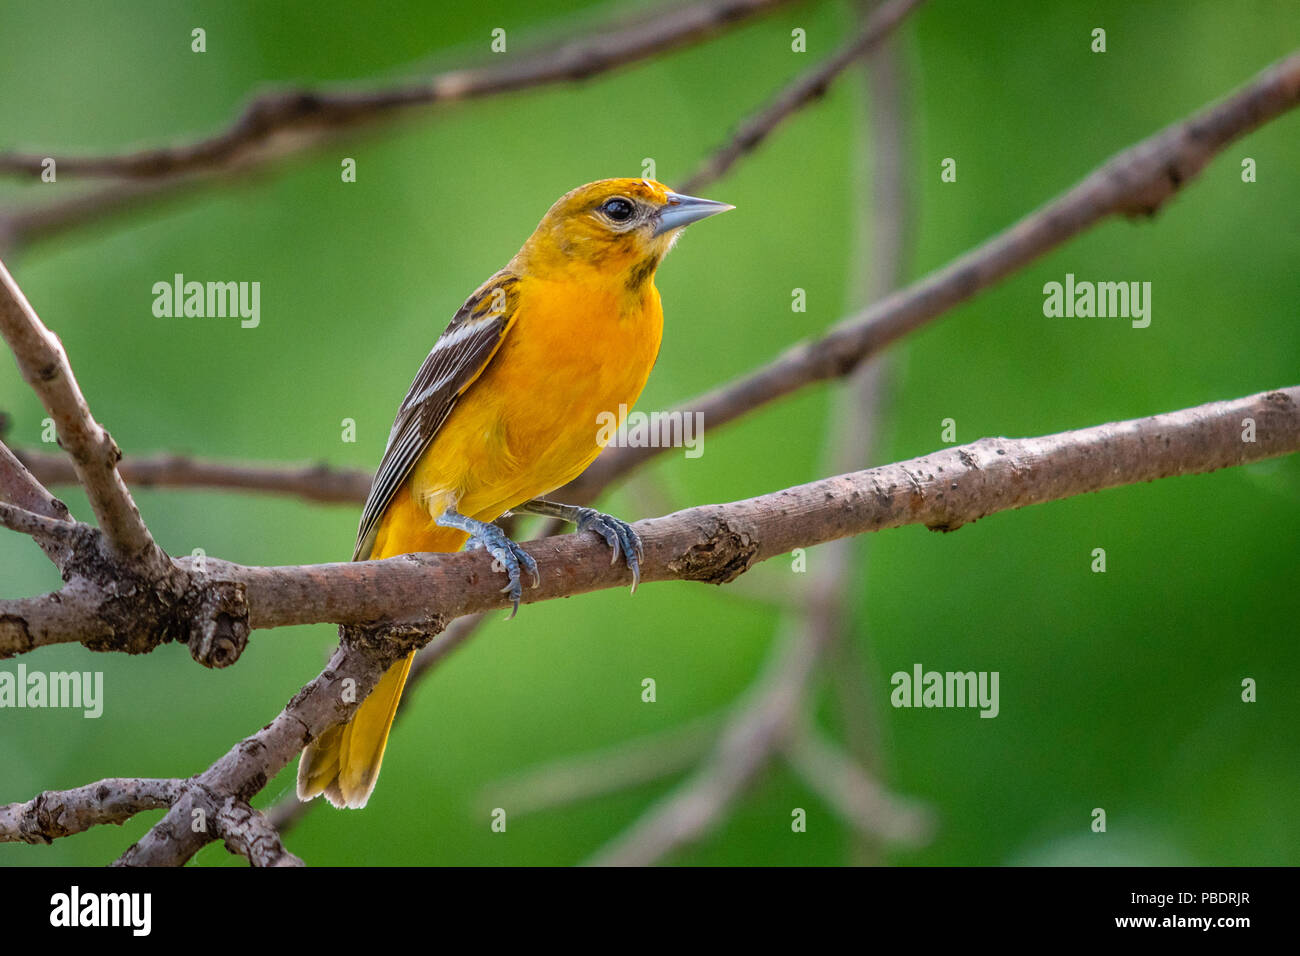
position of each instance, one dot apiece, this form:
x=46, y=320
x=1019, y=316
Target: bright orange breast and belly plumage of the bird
x=579, y=349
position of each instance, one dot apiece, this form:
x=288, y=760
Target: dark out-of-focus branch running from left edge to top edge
x=310, y=113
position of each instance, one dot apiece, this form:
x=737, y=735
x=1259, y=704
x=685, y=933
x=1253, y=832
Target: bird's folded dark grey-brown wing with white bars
x=460, y=357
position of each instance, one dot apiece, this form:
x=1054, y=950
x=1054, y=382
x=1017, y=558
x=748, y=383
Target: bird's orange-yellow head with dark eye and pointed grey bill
x=618, y=228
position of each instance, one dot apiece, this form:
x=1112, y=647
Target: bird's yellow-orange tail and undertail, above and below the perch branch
x=344, y=763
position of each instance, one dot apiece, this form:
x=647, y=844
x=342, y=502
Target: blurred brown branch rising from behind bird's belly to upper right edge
x=1136, y=183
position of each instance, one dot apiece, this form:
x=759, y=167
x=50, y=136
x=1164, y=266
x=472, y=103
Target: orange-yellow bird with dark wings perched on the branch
x=506, y=409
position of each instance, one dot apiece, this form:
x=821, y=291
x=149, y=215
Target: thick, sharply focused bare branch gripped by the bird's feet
x=717, y=543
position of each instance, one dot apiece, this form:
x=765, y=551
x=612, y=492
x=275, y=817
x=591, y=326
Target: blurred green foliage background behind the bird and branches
x=1119, y=690
